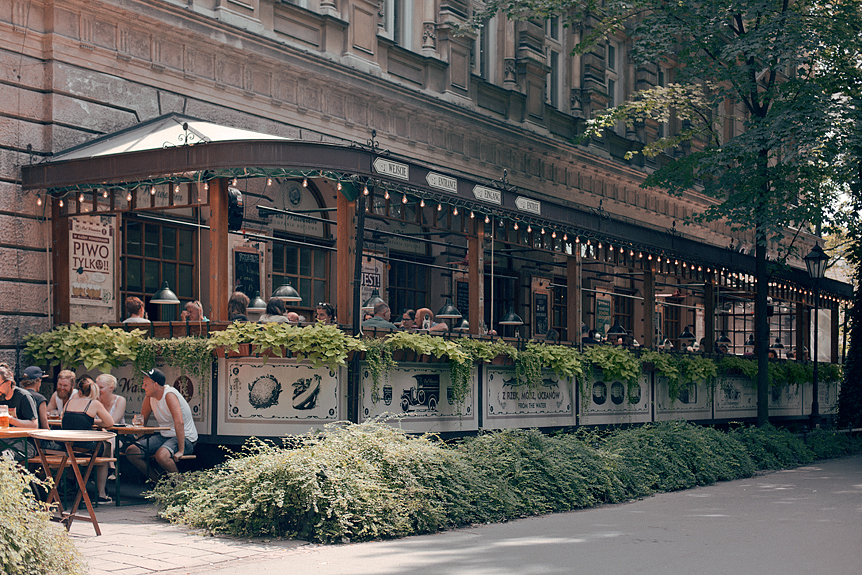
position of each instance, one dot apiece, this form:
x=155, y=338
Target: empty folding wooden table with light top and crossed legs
x=68, y=438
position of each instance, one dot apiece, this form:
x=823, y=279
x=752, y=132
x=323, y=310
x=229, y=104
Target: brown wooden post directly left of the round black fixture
x=220, y=285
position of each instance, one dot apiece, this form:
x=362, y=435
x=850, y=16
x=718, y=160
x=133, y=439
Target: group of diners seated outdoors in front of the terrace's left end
x=82, y=403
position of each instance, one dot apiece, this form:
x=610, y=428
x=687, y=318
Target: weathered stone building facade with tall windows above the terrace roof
x=508, y=98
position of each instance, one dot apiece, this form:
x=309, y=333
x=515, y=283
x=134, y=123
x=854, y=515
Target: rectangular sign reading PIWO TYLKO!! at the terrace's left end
x=91, y=258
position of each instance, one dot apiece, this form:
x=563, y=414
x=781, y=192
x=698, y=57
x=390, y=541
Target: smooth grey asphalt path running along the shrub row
x=802, y=521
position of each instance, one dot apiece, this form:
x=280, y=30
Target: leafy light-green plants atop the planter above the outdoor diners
x=96, y=347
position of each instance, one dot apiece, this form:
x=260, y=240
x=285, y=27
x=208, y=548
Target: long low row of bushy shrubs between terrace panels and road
x=372, y=481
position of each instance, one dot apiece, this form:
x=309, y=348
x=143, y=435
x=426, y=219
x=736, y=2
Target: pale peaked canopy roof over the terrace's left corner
x=162, y=132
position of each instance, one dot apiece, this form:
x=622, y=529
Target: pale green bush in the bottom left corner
x=30, y=543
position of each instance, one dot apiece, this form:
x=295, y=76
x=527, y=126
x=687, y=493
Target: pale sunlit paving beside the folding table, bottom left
x=135, y=541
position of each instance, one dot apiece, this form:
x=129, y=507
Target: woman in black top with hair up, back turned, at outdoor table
x=82, y=412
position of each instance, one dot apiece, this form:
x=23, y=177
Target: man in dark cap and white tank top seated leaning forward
x=171, y=411
